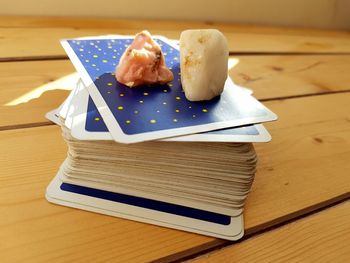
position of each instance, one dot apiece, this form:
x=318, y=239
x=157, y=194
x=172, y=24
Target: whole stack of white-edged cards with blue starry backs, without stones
x=149, y=154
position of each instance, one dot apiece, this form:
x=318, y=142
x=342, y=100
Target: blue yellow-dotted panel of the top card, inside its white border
x=159, y=107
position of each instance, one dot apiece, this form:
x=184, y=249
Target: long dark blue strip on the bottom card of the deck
x=149, y=204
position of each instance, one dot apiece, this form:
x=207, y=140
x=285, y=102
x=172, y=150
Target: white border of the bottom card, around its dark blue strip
x=56, y=195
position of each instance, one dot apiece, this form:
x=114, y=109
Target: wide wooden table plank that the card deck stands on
x=302, y=169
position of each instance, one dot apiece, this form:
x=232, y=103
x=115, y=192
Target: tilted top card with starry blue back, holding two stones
x=158, y=111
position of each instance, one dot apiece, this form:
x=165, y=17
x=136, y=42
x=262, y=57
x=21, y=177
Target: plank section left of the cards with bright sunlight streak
x=30, y=89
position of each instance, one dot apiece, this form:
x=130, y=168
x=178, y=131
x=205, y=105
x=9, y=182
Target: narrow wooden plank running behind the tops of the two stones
x=21, y=42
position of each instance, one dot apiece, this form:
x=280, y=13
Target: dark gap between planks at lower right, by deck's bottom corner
x=220, y=244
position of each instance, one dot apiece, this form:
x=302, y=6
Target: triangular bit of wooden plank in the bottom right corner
x=323, y=237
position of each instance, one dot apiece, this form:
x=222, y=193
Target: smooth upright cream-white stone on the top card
x=203, y=63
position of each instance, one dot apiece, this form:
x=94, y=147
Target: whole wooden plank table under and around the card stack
x=298, y=209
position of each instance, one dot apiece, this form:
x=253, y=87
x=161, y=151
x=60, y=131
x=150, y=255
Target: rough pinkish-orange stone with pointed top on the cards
x=143, y=63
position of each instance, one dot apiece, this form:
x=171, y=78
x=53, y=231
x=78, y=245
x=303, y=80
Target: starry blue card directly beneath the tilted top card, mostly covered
x=88, y=124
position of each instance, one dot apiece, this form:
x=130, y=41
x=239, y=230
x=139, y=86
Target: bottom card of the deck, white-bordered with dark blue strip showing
x=145, y=210
